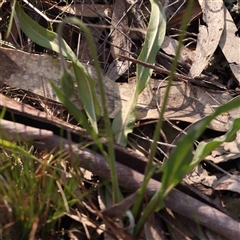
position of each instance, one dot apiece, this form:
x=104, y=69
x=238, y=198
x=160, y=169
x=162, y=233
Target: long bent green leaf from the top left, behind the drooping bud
x=49, y=39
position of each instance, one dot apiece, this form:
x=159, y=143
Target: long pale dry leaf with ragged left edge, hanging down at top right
x=209, y=34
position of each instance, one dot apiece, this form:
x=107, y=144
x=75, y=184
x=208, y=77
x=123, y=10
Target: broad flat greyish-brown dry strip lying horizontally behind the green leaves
x=186, y=102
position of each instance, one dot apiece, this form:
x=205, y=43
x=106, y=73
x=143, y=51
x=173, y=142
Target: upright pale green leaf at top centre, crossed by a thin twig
x=125, y=119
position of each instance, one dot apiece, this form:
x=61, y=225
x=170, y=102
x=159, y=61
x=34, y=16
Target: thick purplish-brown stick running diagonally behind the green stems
x=176, y=200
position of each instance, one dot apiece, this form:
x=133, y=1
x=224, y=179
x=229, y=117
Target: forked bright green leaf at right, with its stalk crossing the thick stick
x=180, y=162
